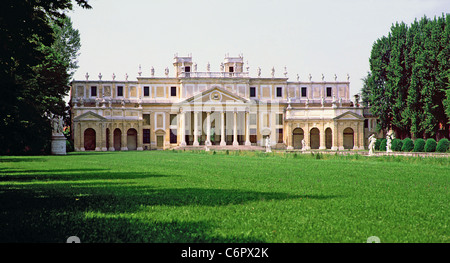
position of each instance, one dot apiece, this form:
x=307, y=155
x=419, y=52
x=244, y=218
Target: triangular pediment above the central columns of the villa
x=217, y=95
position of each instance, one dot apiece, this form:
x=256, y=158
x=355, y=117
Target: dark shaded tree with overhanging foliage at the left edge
x=33, y=76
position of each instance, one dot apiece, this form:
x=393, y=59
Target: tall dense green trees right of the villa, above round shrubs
x=407, y=86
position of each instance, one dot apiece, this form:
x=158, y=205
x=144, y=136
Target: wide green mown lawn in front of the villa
x=166, y=196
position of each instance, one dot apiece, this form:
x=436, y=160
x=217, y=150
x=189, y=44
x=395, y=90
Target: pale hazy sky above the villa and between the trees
x=307, y=37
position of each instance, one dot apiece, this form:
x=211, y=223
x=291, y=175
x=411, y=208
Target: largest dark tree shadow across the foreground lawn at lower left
x=53, y=212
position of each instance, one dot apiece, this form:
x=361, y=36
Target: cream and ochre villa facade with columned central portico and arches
x=216, y=108
